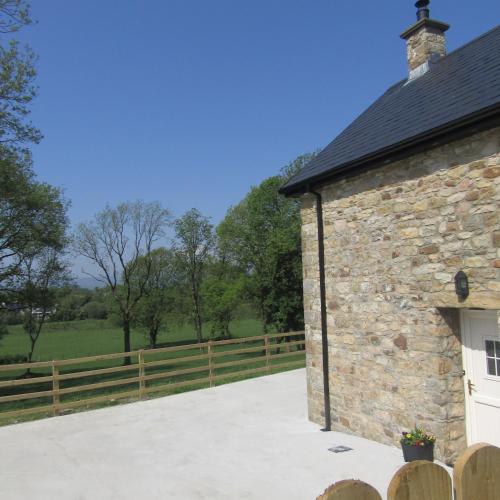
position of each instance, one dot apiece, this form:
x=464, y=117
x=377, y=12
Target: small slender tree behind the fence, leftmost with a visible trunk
x=42, y=274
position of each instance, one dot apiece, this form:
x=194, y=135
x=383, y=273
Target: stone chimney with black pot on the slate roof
x=425, y=41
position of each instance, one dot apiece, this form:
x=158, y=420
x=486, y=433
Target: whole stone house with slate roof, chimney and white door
x=405, y=198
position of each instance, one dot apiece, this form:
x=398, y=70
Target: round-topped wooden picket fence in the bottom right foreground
x=476, y=476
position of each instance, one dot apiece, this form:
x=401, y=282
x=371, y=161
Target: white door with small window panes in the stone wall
x=481, y=352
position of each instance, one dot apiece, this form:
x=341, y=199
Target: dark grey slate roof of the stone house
x=463, y=85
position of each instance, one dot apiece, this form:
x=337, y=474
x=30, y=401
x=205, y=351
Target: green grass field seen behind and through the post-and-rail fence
x=89, y=338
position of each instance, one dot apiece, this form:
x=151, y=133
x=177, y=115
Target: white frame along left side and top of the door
x=466, y=337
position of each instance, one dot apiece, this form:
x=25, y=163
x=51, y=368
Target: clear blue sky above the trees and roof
x=190, y=102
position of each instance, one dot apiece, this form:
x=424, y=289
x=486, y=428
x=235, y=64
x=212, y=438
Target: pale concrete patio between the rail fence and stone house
x=249, y=440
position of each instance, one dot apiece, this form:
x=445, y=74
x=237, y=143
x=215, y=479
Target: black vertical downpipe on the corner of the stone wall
x=322, y=294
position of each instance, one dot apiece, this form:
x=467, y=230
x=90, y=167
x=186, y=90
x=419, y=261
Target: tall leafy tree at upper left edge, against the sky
x=32, y=214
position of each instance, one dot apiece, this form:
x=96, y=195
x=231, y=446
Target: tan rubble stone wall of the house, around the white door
x=395, y=237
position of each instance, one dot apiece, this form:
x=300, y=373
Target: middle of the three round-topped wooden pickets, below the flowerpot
x=422, y=480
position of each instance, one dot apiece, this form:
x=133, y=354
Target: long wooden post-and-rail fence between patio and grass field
x=162, y=370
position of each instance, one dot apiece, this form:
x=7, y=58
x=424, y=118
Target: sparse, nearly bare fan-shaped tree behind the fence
x=119, y=243
